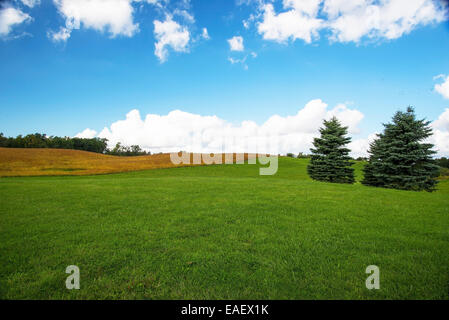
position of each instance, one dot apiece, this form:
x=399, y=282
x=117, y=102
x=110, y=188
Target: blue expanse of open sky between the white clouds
x=95, y=77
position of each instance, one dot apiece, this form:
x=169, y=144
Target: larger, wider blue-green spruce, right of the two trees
x=399, y=158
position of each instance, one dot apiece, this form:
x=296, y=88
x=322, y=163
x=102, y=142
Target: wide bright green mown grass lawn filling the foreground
x=220, y=232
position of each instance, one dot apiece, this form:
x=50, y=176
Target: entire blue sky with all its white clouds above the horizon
x=175, y=75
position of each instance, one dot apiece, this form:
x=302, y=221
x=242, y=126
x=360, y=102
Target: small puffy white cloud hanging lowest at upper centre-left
x=170, y=34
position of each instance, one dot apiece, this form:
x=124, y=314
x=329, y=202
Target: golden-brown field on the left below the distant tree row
x=47, y=162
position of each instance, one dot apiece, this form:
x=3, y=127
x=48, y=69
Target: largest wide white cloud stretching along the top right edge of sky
x=345, y=20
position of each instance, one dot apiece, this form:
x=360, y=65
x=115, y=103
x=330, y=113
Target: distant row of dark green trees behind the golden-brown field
x=98, y=145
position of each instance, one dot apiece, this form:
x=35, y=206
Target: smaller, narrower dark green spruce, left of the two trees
x=330, y=161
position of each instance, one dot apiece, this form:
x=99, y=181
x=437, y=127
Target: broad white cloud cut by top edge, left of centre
x=112, y=16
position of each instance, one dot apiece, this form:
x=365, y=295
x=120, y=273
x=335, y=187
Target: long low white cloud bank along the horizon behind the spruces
x=180, y=130
